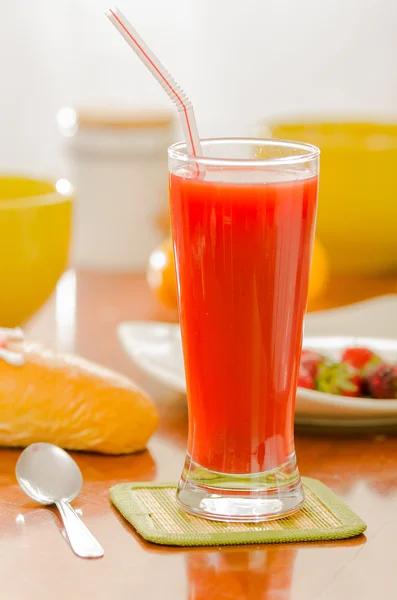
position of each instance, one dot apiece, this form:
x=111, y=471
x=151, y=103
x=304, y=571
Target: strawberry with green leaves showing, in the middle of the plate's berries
x=339, y=378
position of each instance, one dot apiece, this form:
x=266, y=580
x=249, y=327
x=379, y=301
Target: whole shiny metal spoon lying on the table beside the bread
x=49, y=475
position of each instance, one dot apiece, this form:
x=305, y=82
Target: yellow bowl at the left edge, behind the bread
x=35, y=226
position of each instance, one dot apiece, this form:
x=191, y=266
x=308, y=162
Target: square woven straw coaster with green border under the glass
x=152, y=510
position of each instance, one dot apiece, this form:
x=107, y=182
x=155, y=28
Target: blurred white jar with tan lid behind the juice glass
x=118, y=165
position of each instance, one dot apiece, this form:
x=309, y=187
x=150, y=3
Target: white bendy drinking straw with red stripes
x=167, y=82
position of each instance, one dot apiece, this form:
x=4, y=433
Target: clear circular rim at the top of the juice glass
x=309, y=152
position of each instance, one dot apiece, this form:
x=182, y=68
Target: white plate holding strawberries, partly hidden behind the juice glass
x=156, y=349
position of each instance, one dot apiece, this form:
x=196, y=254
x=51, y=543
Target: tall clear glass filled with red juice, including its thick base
x=243, y=219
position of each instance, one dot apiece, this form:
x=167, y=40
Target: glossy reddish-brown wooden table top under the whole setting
x=36, y=563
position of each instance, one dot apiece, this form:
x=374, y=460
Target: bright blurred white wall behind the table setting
x=241, y=61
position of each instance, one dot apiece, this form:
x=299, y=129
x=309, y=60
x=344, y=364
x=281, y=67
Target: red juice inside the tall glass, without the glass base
x=243, y=255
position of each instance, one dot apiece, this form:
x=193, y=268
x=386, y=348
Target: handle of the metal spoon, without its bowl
x=81, y=539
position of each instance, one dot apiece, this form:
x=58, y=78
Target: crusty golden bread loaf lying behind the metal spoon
x=71, y=402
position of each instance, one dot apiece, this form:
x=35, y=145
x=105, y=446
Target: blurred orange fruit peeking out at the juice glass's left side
x=161, y=275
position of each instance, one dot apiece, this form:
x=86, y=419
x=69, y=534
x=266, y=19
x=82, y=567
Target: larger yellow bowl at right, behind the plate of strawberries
x=357, y=216
